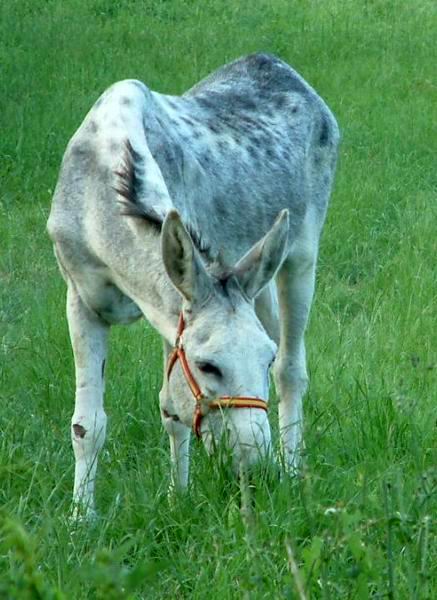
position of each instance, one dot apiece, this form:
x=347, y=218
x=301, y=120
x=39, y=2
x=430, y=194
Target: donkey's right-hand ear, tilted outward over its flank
x=262, y=262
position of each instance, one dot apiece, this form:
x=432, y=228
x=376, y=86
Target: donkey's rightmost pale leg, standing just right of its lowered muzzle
x=295, y=283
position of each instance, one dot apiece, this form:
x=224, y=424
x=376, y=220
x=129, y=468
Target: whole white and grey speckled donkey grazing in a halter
x=201, y=212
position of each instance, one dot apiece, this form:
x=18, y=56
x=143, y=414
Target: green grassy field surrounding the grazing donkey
x=360, y=520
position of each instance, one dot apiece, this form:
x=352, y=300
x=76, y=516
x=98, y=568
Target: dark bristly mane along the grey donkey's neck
x=130, y=186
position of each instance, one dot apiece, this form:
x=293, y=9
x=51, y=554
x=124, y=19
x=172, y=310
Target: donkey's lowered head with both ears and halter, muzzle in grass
x=223, y=353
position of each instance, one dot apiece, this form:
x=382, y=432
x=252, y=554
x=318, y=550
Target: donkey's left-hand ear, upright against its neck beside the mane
x=182, y=261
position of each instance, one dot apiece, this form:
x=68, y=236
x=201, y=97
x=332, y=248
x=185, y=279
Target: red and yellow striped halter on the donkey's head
x=221, y=402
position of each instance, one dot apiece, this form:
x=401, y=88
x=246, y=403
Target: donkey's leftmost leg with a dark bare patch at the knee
x=88, y=336
